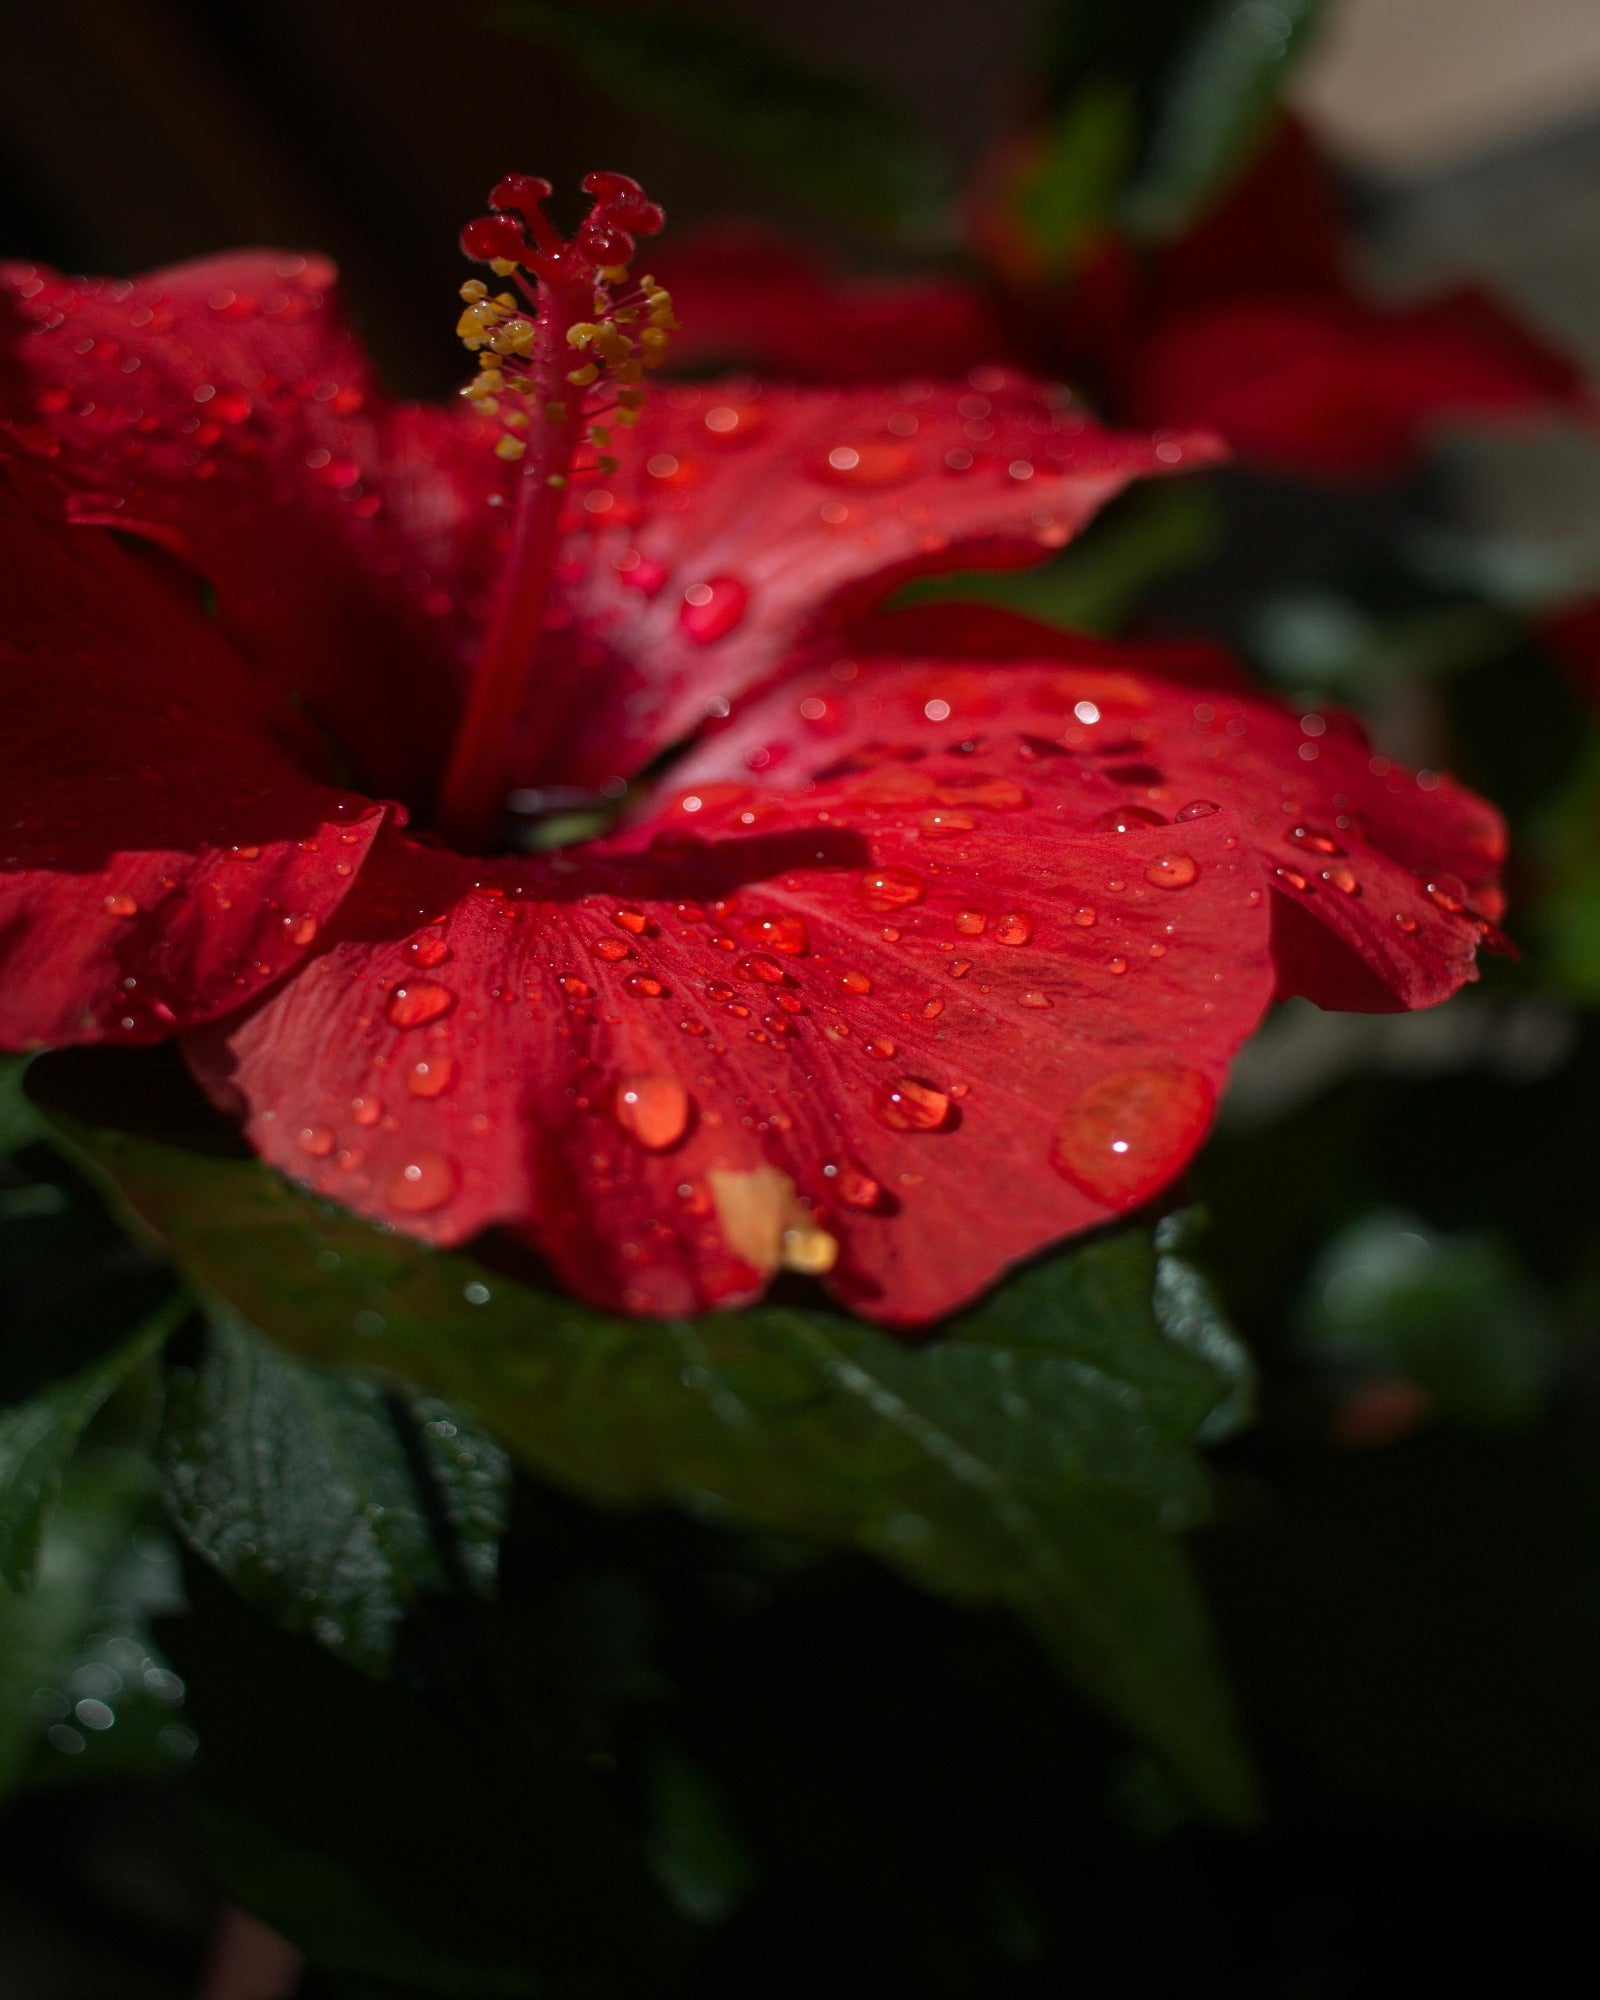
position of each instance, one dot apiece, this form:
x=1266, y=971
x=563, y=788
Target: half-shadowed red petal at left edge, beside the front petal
x=165, y=853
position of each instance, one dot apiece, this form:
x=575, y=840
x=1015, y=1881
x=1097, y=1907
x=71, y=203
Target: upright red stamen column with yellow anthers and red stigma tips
x=561, y=359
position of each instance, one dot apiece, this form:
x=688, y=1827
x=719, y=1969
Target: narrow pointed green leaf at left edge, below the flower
x=41, y=1435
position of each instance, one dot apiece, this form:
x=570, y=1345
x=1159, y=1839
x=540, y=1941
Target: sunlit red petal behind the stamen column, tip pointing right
x=745, y=517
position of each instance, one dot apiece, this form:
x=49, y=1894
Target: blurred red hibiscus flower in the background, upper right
x=1247, y=325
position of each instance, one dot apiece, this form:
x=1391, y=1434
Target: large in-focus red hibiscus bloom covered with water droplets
x=931, y=947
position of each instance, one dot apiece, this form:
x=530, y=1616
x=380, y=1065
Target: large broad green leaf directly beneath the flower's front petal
x=1037, y=1455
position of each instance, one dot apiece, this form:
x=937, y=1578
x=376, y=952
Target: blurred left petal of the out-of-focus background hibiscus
x=751, y=299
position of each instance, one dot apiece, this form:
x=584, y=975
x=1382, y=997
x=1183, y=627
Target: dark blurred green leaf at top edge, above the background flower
x=813, y=135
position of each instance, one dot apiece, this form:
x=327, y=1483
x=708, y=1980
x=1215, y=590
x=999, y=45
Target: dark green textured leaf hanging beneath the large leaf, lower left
x=323, y=1497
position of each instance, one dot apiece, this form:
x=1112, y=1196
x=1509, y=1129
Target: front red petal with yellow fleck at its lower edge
x=805, y=1059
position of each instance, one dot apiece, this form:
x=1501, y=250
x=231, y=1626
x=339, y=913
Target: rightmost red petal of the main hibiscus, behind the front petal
x=1349, y=843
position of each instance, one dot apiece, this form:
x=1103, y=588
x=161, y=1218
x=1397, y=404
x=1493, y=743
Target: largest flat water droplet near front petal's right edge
x=1131, y=1133
